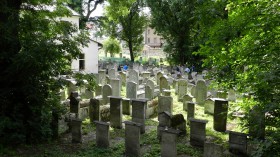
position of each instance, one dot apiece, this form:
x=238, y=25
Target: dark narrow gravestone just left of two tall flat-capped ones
x=94, y=109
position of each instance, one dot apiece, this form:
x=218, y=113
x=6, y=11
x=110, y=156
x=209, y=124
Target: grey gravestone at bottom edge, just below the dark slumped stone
x=168, y=142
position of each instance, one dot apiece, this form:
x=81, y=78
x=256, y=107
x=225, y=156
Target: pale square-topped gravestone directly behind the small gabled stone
x=165, y=103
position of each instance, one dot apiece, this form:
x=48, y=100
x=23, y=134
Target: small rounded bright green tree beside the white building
x=112, y=46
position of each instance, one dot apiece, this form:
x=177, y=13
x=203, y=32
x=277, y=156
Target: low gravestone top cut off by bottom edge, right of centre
x=212, y=150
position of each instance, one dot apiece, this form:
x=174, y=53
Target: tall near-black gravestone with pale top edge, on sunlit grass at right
x=220, y=115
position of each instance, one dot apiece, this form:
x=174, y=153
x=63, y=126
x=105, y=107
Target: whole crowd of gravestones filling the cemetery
x=141, y=87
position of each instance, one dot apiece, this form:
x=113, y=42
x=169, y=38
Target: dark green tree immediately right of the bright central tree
x=175, y=21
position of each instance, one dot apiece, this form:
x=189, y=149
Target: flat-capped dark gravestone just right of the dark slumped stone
x=197, y=132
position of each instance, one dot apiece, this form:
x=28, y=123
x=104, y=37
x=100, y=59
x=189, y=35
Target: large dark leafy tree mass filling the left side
x=29, y=88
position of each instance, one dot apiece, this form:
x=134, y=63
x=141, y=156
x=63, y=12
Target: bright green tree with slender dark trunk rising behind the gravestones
x=127, y=17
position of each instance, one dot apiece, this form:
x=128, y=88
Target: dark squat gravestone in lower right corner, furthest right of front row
x=238, y=143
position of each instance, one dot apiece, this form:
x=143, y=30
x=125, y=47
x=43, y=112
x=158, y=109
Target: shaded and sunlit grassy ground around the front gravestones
x=150, y=145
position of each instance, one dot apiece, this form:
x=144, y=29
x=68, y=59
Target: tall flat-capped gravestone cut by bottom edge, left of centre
x=132, y=138
